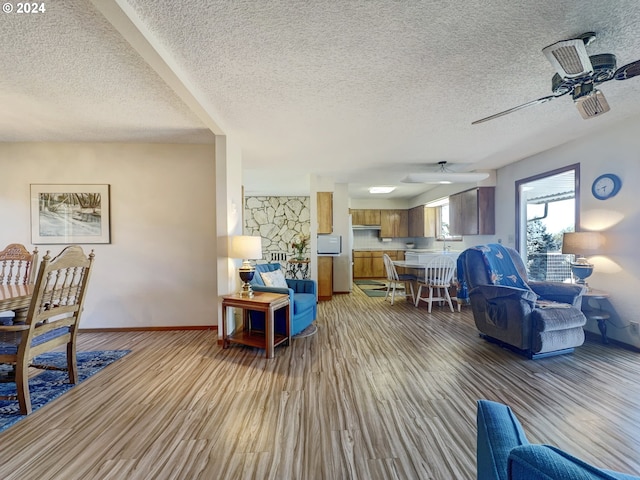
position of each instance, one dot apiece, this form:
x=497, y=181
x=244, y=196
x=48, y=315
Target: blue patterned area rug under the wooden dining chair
x=50, y=384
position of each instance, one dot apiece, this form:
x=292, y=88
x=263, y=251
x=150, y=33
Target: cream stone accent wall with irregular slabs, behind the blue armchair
x=278, y=220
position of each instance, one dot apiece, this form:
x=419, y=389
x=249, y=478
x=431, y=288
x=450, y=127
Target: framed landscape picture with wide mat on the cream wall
x=69, y=214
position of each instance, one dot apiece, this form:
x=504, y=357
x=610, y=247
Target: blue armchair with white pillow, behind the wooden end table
x=302, y=296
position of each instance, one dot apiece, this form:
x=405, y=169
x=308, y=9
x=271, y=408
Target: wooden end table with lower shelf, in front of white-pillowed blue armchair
x=266, y=302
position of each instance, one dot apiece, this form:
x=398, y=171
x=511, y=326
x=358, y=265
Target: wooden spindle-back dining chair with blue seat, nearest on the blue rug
x=52, y=320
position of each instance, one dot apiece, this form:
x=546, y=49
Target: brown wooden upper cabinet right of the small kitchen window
x=473, y=212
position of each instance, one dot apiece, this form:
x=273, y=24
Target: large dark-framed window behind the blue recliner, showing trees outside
x=547, y=206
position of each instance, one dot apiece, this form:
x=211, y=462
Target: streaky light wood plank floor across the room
x=381, y=392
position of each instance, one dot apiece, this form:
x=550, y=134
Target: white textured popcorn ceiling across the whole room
x=361, y=91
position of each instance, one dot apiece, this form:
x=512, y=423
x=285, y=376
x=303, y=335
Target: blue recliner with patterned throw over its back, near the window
x=533, y=318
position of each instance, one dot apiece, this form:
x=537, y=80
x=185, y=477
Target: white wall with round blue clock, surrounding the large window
x=617, y=270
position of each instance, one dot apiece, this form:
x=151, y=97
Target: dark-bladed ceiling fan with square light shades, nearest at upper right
x=578, y=74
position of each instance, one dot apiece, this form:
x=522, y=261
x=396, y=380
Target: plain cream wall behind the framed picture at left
x=160, y=268
